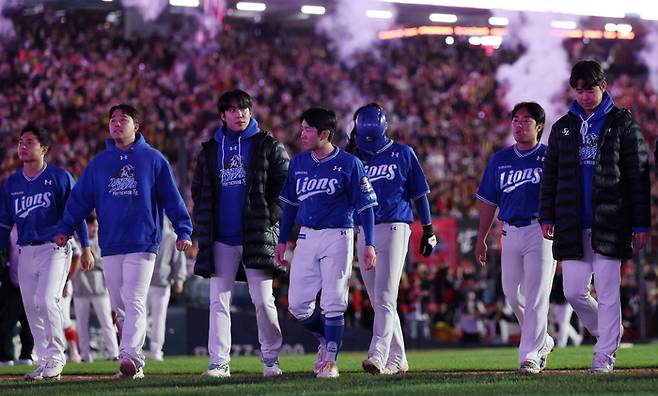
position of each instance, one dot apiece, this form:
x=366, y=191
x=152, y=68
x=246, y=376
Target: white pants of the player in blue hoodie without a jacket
x=128, y=277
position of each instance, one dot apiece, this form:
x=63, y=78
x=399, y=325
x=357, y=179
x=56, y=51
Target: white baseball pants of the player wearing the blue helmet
x=382, y=284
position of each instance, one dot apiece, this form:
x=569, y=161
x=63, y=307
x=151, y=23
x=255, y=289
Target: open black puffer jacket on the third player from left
x=266, y=174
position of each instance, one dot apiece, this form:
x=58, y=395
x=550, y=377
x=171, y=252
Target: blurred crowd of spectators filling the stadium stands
x=443, y=100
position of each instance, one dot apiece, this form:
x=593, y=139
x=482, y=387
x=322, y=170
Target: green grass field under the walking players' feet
x=456, y=371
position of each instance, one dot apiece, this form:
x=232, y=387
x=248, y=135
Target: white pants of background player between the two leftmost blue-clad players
x=103, y=312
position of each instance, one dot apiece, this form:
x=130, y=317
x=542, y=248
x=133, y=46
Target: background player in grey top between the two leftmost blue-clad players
x=89, y=290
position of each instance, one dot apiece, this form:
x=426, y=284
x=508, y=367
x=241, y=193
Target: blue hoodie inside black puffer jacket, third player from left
x=232, y=168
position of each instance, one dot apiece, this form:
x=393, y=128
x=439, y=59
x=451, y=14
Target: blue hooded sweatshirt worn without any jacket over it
x=130, y=189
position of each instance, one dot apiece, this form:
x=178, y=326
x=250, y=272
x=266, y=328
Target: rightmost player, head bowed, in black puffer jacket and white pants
x=595, y=204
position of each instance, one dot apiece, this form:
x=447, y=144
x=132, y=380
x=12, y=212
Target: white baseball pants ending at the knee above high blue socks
x=322, y=260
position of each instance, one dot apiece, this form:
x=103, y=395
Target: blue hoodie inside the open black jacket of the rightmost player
x=590, y=132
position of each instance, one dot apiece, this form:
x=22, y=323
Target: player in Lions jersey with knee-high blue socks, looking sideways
x=325, y=189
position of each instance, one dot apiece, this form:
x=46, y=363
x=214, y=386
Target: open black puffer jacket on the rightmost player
x=620, y=187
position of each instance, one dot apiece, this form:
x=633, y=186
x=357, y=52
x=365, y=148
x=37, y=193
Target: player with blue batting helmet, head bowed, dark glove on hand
x=397, y=178
